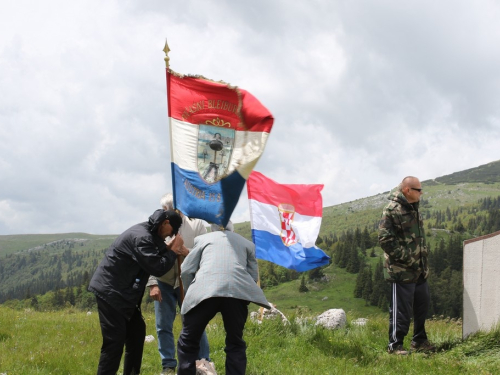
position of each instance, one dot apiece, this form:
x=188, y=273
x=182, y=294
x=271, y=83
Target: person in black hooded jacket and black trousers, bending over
x=119, y=283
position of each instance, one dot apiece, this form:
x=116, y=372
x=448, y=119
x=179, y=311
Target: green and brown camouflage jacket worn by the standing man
x=401, y=236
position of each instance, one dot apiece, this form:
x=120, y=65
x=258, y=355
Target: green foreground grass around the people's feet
x=68, y=342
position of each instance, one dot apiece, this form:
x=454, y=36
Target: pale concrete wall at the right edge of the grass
x=481, y=283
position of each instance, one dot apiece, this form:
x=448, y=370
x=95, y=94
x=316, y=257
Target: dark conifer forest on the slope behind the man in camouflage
x=357, y=252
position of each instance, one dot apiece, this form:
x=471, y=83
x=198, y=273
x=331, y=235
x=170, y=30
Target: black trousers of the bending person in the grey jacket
x=234, y=315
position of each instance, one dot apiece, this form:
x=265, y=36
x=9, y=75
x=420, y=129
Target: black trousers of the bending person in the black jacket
x=118, y=332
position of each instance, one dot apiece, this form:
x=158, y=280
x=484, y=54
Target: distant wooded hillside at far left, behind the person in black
x=36, y=263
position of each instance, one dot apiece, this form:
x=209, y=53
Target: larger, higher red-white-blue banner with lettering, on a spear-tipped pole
x=218, y=133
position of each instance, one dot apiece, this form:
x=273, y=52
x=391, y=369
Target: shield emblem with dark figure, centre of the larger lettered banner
x=215, y=148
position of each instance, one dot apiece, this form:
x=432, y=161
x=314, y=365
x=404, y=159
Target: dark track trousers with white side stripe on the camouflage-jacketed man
x=407, y=301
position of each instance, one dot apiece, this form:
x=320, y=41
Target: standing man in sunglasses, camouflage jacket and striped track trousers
x=401, y=236
